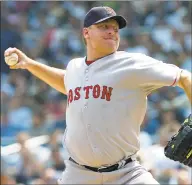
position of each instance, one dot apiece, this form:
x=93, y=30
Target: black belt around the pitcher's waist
x=106, y=169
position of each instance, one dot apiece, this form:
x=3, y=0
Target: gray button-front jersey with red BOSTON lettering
x=107, y=101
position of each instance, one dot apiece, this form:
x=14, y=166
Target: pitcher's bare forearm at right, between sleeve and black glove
x=186, y=84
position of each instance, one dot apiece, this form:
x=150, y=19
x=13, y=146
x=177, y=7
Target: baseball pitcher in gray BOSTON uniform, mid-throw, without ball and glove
x=107, y=98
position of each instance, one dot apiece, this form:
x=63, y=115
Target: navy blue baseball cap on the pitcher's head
x=103, y=13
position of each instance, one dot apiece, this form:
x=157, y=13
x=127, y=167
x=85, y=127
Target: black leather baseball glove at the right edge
x=179, y=147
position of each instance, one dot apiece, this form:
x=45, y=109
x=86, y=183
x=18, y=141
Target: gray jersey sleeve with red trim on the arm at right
x=152, y=74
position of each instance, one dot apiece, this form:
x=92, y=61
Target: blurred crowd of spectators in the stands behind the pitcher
x=50, y=32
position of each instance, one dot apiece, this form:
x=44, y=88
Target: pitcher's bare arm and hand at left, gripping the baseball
x=50, y=75
